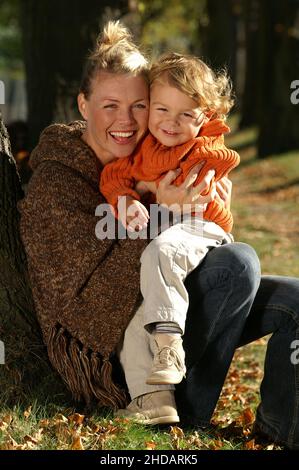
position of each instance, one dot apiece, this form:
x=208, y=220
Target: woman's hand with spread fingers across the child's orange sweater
x=173, y=196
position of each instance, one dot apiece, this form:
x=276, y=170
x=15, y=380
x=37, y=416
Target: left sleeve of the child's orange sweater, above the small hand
x=116, y=180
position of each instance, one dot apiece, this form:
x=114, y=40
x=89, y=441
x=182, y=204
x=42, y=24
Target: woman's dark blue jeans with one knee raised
x=231, y=305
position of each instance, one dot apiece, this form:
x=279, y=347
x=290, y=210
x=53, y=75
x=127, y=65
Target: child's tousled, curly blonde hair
x=190, y=75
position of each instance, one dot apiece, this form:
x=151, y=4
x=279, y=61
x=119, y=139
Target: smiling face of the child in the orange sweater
x=174, y=117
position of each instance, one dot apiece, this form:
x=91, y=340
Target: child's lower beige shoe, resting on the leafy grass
x=152, y=408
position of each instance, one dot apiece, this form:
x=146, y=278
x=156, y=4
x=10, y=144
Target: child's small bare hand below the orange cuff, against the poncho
x=132, y=214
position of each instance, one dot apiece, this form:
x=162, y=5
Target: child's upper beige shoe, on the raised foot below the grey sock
x=169, y=360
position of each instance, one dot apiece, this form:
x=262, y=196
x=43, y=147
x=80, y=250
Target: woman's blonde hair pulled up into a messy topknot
x=114, y=52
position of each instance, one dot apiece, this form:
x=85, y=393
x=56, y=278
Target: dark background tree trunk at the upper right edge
x=279, y=65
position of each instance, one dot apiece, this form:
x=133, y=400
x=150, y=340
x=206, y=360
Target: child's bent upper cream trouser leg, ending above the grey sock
x=167, y=261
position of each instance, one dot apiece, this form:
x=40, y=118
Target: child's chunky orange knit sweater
x=152, y=160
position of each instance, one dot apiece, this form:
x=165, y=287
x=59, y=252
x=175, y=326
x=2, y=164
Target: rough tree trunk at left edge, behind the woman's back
x=25, y=355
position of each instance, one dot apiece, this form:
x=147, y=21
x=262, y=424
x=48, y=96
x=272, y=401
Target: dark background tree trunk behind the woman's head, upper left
x=56, y=38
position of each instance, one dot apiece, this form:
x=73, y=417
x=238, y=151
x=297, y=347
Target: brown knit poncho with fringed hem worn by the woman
x=85, y=290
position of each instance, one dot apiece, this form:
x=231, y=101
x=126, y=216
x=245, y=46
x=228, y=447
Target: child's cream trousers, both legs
x=165, y=264
